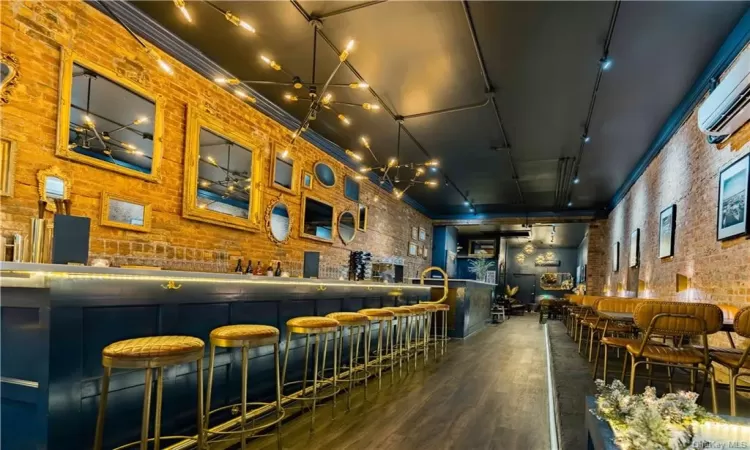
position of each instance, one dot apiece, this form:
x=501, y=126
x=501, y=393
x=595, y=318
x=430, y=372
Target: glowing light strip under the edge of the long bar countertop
x=240, y=279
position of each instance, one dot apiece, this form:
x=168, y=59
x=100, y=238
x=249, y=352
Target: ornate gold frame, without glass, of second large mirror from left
x=196, y=121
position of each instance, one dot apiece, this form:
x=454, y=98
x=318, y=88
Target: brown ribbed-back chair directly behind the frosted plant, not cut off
x=677, y=320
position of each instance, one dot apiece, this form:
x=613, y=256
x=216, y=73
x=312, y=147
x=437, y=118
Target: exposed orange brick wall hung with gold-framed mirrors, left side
x=34, y=32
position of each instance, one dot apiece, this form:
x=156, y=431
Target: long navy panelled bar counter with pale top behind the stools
x=57, y=319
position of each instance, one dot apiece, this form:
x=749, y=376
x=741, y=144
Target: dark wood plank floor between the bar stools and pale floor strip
x=487, y=392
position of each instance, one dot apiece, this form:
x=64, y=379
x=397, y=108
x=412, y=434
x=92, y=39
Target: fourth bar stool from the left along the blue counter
x=357, y=324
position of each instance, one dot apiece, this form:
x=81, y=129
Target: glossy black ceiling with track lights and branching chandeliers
x=541, y=57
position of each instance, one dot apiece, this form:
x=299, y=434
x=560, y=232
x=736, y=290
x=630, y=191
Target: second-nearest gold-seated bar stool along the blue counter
x=245, y=337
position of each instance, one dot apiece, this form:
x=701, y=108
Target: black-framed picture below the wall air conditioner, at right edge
x=734, y=185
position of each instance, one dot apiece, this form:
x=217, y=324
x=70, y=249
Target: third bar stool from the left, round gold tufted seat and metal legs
x=315, y=328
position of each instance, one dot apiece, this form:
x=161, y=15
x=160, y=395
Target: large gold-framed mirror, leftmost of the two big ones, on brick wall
x=108, y=121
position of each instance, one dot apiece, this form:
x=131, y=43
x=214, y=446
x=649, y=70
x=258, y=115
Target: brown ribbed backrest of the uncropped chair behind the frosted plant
x=677, y=318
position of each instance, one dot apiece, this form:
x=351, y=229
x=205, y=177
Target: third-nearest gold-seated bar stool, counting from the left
x=312, y=326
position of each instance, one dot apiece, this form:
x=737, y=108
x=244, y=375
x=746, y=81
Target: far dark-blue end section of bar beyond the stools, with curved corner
x=470, y=302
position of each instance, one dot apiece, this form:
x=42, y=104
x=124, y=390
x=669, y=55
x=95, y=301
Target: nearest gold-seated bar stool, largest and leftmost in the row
x=155, y=352
